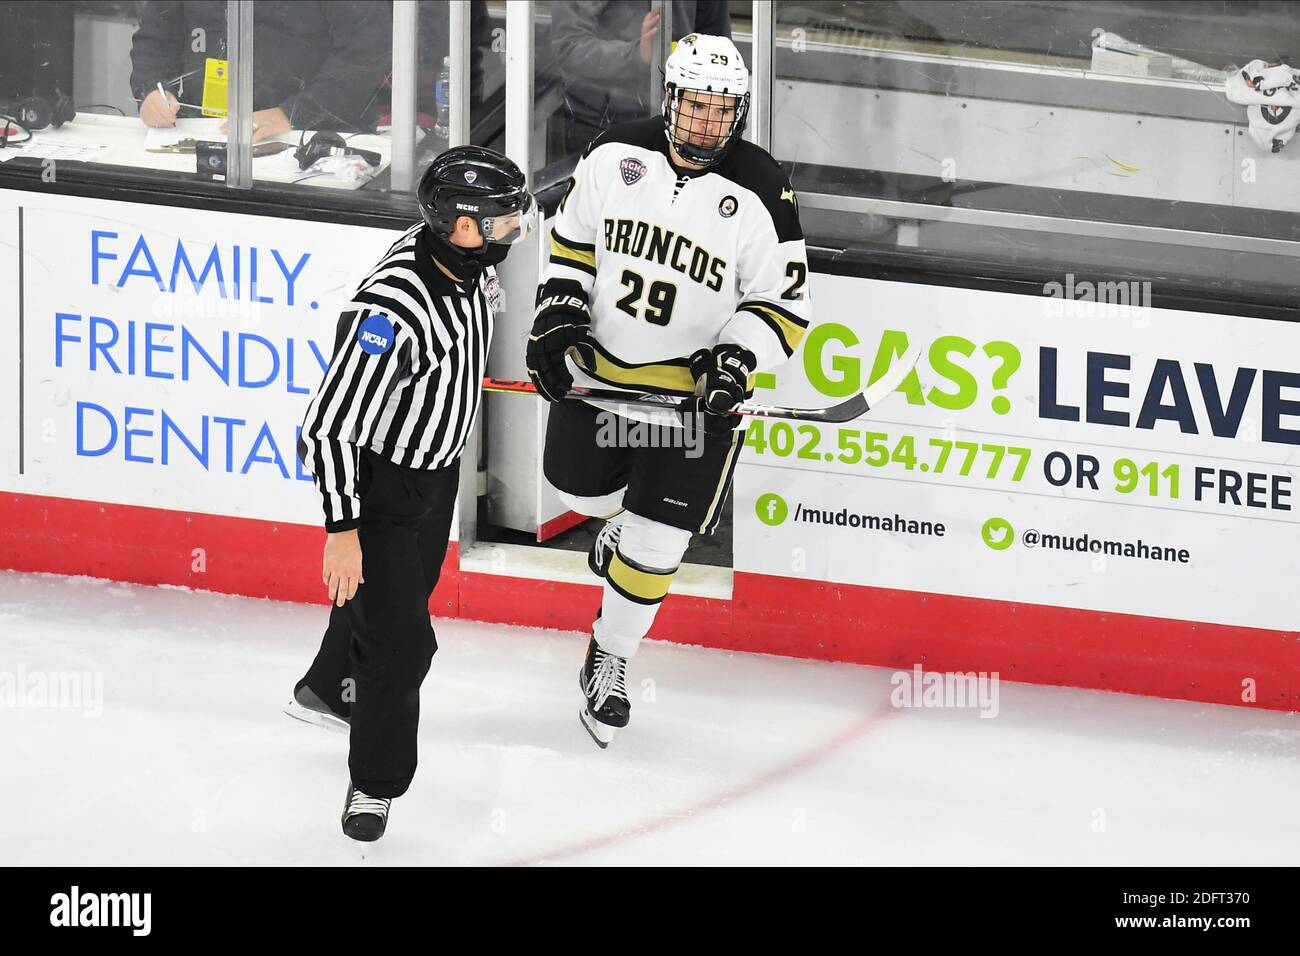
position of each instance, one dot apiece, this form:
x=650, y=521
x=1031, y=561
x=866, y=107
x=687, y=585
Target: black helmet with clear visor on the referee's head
x=482, y=184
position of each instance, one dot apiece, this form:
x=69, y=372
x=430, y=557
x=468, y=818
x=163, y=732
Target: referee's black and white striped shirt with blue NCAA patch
x=406, y=375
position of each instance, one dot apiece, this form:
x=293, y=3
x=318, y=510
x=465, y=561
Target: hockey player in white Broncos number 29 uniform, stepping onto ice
x=678, y=267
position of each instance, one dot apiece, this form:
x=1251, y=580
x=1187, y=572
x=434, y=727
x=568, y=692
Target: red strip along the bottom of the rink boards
x=768, y=615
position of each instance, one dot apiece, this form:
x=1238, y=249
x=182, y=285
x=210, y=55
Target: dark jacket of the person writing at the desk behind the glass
x=322, y=62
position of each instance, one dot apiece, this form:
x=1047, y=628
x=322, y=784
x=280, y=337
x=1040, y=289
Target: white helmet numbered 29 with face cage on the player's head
x=713, y=71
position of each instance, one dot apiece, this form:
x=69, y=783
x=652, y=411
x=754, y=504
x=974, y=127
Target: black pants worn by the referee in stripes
x=379, y=646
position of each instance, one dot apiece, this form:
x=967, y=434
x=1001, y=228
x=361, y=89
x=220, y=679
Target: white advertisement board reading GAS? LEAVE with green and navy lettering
x=1076, y=451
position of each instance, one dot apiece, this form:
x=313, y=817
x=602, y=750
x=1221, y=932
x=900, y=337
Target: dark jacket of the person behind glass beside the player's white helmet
x=597, y=49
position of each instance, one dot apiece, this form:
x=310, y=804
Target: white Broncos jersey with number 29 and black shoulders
x=671, y=262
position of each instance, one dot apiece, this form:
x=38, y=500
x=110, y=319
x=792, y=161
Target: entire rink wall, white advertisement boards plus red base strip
x=1064, y=492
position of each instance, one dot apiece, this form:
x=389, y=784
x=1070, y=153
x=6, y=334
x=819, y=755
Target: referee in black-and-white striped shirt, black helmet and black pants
x=383, y=438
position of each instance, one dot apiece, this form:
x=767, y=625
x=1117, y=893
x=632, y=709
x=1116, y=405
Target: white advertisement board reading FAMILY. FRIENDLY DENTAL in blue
x=166, y=357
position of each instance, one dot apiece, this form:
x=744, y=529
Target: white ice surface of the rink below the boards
x=731, y=759
